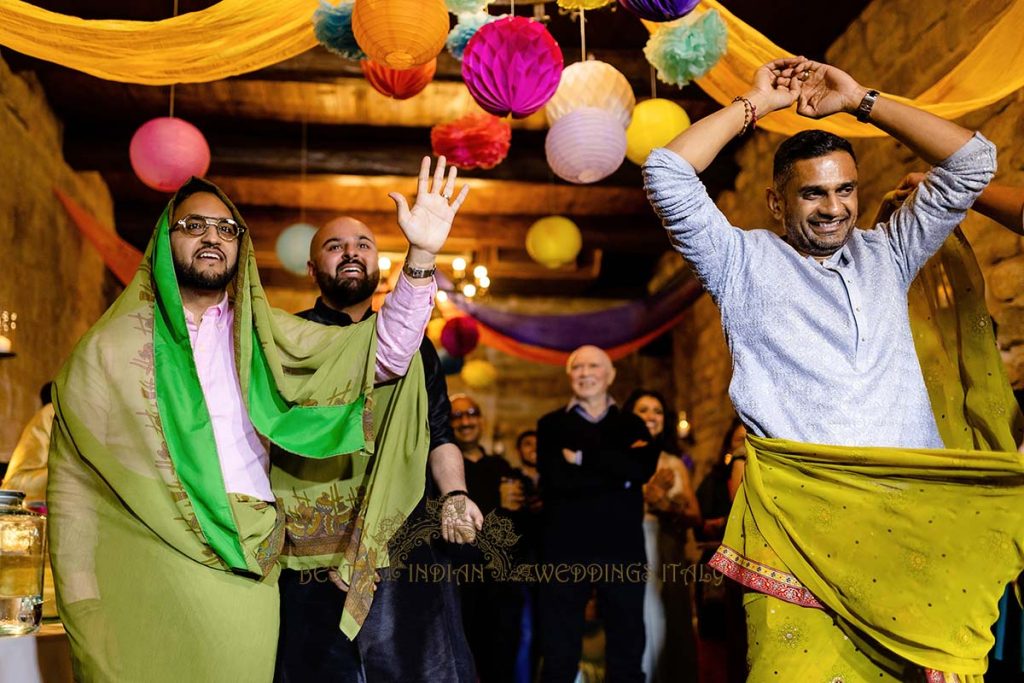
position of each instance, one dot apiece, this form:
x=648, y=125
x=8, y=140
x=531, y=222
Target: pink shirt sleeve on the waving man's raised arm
x=401, y=324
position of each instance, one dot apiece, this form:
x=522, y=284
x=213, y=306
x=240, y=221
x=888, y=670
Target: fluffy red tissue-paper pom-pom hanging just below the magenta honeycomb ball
x=476, y=141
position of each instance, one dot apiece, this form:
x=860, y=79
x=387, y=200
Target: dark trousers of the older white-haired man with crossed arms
x=563, y=608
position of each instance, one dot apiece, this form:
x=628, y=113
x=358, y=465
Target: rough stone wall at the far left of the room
x=56, y=283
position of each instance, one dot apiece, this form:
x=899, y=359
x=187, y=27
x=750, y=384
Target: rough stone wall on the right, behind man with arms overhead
x=899, y=47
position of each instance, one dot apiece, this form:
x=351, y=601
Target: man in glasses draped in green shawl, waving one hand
x=165, y=533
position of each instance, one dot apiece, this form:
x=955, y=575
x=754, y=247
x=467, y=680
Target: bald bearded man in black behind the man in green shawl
x=414, y=630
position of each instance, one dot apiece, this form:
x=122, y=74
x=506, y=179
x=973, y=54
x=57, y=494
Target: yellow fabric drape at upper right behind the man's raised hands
x=991, y=72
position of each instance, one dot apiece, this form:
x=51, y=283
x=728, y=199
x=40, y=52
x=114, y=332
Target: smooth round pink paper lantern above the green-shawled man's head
x=166, y=152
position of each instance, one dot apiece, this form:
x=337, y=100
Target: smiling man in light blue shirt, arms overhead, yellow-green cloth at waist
x=880, y=516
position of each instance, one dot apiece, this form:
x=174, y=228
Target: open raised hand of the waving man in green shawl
x=428, y=225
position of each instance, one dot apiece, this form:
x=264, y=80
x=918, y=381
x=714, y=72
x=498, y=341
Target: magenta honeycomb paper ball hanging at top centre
x=513, y=66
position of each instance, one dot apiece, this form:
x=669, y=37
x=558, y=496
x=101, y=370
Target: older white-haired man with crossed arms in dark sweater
x=593, y=460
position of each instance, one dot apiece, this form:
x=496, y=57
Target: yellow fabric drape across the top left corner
x=230, y=38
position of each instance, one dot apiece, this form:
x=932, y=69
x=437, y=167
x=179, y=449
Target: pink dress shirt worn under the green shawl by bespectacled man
x=245, y=464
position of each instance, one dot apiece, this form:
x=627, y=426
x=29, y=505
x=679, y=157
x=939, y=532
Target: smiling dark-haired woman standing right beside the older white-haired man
x=670, y=653
